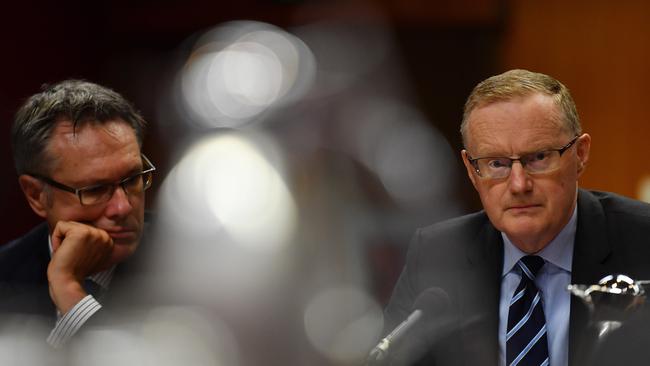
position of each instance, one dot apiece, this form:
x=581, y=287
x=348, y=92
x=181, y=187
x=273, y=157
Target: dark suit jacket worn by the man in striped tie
x=464, y=256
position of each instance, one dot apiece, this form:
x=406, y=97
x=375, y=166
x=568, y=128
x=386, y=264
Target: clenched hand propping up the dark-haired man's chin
x=78, y=250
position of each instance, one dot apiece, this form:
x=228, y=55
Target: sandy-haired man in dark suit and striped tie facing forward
x=524, y=152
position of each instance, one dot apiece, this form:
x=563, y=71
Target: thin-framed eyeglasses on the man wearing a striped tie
x=534, y=163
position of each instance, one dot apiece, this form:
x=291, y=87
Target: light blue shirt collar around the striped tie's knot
x=558, y=252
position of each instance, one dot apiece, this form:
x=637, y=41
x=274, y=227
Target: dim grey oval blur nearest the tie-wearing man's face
x=411, y=158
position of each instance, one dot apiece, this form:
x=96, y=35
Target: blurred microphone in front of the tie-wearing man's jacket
x=428, y=306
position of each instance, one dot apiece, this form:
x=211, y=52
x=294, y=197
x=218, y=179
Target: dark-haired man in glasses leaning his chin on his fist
x=77, y=151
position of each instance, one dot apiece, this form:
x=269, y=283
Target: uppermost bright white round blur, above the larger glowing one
x=240, y=70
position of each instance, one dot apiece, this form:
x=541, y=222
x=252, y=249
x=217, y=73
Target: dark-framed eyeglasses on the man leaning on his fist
x=100, y=193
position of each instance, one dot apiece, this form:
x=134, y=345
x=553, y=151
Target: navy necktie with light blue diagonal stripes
x=526, y=342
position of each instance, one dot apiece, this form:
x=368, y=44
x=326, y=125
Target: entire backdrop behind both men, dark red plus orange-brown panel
x=600, y=51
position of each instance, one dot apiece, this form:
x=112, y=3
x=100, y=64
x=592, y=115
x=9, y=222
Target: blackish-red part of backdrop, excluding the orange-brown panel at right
x=130, y=46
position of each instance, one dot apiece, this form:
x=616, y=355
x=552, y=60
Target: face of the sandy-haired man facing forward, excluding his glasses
x=530, y=209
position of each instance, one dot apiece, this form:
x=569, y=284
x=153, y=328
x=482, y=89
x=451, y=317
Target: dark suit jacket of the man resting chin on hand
x=23, y=275
